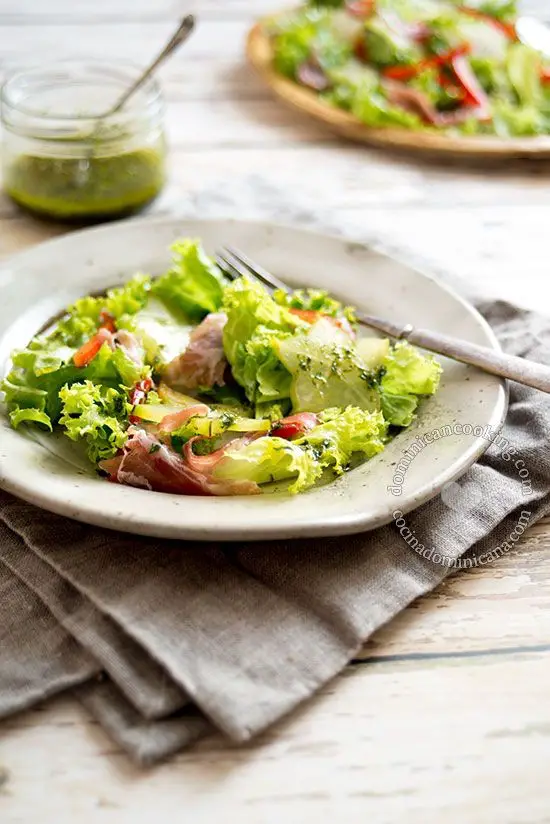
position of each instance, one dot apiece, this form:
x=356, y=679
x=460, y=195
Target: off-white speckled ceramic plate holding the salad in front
x=36, y=285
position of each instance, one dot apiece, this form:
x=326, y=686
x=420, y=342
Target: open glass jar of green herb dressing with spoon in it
x=60, y=161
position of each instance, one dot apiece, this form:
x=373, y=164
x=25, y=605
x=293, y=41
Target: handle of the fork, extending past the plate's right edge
x=517, y=369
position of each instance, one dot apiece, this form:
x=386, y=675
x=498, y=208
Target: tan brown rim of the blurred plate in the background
x=259, y=54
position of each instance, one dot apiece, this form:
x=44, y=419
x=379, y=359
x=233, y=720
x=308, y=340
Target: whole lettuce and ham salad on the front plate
x=195, y=384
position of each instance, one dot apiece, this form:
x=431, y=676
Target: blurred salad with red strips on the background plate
x=418, y=64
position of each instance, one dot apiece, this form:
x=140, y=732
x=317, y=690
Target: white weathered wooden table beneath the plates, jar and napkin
x=448, y=718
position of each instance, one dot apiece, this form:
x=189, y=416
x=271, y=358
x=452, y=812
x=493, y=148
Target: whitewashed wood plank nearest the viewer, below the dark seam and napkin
x=475, y=748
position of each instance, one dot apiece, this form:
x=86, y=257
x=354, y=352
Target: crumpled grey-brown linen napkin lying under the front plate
x=164, y=641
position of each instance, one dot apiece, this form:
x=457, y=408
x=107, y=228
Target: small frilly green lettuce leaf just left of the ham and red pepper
x=98, y=415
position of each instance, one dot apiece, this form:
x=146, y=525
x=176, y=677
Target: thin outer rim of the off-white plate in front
x=337, y=526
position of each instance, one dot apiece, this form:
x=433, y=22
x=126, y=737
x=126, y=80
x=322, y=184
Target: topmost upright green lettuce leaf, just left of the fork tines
x=194, y=286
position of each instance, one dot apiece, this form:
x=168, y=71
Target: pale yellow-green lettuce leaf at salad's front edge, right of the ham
x=270, y=459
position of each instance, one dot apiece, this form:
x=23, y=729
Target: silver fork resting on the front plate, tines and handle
x=236, y=264
